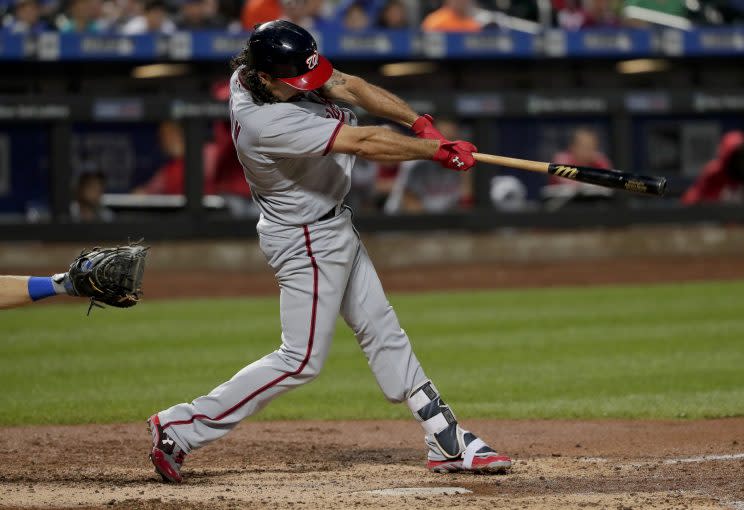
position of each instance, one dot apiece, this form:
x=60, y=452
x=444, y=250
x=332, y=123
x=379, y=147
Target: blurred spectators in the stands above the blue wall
x=166, y=16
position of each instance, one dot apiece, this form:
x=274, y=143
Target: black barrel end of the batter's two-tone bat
x=611, y=179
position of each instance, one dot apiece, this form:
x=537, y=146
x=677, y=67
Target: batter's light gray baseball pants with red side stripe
x=322, y=269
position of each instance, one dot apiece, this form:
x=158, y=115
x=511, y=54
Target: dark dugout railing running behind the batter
x=484, y=112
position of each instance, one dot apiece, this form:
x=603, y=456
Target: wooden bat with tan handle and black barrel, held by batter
x=607, y=178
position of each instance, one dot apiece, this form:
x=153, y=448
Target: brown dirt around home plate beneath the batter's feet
x=365, y=464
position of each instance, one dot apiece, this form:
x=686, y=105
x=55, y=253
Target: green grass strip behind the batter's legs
x=662, y=351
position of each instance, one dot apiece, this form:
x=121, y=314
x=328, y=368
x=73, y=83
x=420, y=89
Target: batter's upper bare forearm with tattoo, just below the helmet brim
x=376, y=100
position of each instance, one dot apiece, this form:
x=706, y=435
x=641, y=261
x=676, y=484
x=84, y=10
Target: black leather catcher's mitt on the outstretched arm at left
x=109, y=275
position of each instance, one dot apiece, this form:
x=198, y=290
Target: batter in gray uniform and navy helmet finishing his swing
x=297, y=147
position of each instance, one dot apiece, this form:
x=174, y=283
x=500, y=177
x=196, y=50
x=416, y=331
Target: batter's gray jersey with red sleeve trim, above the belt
x=284, y=149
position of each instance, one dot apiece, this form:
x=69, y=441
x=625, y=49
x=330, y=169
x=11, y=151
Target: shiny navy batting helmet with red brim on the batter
x=288, y=52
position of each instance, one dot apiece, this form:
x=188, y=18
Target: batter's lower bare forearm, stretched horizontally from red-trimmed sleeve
x=384, y=145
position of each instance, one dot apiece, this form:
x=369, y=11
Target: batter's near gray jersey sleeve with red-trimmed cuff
x=294, y=133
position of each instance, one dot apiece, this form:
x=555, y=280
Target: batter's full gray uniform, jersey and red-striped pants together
x=321, y=266
